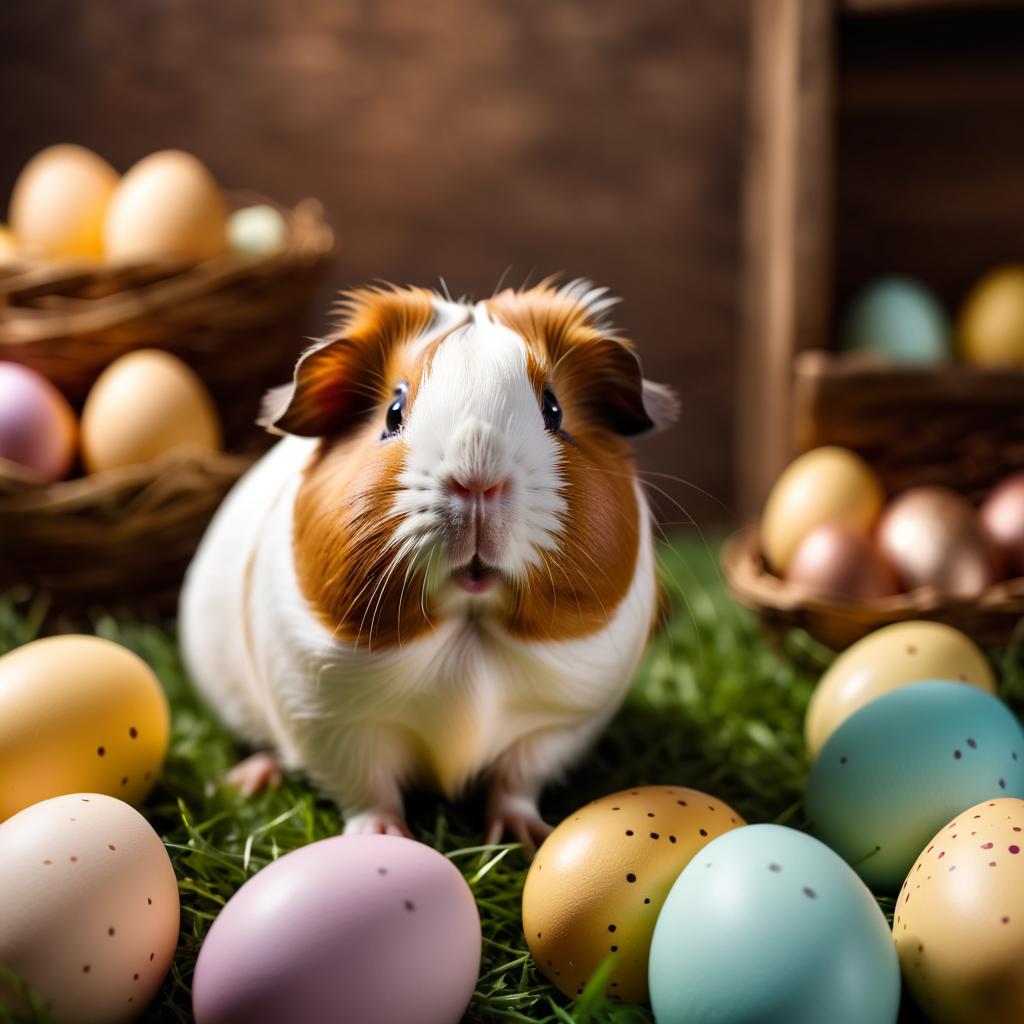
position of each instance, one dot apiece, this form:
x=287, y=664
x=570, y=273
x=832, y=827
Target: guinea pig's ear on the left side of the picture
x=322, y=398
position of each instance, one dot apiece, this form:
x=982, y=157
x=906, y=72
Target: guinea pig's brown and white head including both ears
x=474, y=462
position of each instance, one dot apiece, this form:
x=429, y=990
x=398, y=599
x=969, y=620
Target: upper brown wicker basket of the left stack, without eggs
x=237, y=320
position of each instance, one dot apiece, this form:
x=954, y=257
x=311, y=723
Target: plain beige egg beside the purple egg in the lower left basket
x=144, y=406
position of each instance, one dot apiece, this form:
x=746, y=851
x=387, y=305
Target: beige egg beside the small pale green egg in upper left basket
x=168, y=207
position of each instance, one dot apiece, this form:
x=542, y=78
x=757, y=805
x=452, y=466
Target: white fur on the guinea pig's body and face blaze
x=461, y=701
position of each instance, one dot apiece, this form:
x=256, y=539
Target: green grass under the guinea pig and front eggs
x=714, y=707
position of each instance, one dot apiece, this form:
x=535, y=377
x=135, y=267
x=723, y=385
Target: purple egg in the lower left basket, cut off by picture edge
x=38, y=430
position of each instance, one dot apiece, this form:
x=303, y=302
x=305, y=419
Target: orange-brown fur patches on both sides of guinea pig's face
x=344, y=561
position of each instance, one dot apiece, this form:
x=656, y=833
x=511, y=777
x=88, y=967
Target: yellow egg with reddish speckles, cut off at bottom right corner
x=959, y=923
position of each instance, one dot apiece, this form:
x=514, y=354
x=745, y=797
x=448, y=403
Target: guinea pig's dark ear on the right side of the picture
x=615, y=392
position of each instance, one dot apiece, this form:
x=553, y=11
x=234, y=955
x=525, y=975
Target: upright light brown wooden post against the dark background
x=789, y=227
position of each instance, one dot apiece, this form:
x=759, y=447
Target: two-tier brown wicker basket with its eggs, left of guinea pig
x=142, y=318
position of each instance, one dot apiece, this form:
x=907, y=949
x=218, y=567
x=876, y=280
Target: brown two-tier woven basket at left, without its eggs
x=123, y=539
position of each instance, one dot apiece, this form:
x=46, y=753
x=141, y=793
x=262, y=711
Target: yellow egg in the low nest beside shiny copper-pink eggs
x=825, y=486
